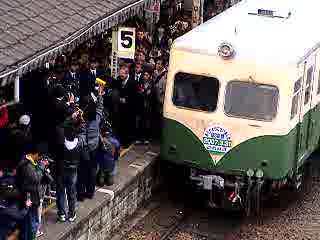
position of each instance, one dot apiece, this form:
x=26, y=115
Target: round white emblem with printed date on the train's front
x=217, y=139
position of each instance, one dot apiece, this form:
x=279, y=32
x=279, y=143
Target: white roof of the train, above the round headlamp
x=285, y=38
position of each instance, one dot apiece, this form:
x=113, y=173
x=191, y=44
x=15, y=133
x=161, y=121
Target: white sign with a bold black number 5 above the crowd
x=126, y=42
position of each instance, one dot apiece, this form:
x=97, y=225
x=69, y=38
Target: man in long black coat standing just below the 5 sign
x=125, y=89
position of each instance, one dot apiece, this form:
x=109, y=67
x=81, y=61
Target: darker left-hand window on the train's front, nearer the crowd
x=195, y=92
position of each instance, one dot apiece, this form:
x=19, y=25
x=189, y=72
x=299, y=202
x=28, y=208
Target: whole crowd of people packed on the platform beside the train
x=70, y=133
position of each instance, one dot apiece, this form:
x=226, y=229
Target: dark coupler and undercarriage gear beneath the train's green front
x=246, y=192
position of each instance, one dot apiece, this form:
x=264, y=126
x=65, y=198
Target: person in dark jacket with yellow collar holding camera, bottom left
x=31, y=175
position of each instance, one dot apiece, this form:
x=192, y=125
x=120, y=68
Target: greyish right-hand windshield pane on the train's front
x=251, y=100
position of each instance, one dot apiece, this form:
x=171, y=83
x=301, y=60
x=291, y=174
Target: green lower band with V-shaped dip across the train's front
x=180, y=145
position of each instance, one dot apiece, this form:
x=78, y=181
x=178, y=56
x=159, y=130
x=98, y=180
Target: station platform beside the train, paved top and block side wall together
x=97, y=219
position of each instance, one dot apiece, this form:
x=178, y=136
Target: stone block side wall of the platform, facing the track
x=104, y=220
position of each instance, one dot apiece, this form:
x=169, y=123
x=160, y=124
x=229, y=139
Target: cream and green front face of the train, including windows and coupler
x=227, y=121
